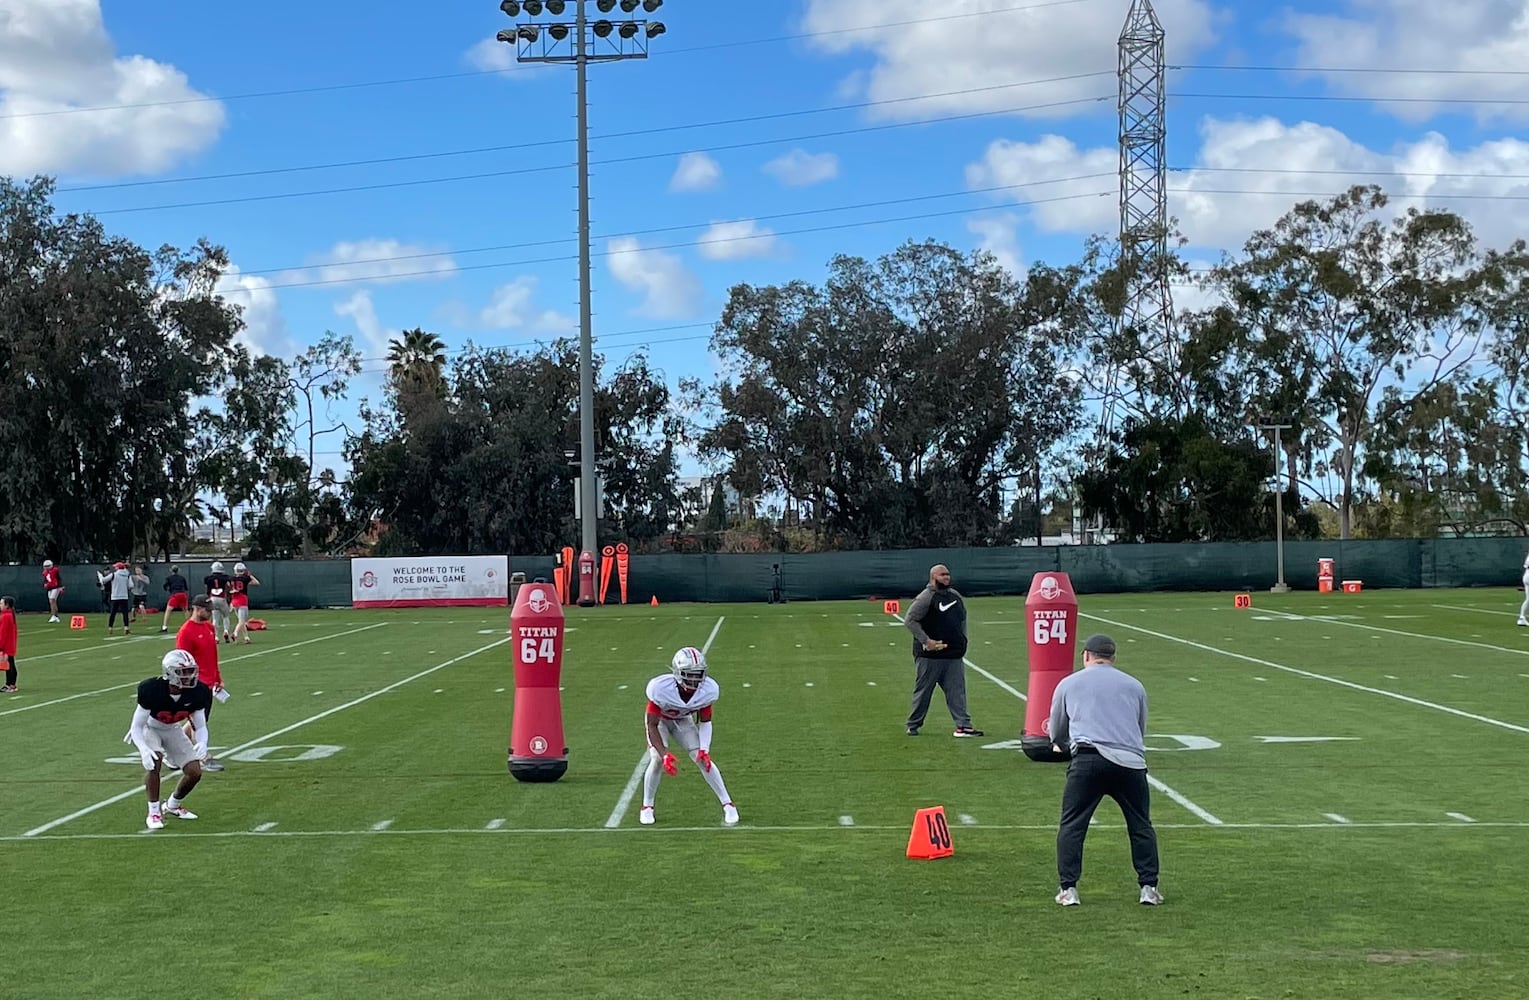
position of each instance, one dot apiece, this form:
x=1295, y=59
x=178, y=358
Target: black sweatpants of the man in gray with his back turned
x=1091, y=778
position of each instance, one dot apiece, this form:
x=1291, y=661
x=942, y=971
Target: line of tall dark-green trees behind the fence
x=926, y=398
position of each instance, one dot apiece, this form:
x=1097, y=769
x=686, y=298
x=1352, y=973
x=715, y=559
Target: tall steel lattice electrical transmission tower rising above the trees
x=1148, y=317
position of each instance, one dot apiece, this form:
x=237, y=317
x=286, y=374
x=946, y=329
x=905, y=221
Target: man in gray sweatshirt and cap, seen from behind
x=1100, y=715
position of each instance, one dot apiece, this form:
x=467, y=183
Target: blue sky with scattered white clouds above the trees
x=1284, y=102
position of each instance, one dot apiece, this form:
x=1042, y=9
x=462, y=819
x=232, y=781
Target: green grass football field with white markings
x=481, y=886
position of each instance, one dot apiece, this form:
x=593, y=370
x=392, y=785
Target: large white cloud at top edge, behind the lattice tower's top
x=924, y=53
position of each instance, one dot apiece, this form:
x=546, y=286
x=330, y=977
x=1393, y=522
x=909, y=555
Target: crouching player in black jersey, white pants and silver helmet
x=164, y=704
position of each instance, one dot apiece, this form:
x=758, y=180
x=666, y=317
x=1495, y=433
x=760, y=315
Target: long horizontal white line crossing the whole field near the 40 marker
x=268, y=831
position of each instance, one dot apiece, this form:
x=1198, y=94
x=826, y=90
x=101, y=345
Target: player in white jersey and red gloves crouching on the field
x=680, y=710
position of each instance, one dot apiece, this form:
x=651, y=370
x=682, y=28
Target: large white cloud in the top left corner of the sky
x=57, y=56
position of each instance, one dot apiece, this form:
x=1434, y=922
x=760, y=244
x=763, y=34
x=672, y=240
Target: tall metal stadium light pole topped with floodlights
x=609, y=37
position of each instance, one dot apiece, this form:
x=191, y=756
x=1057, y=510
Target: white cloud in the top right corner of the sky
x=1461, y=36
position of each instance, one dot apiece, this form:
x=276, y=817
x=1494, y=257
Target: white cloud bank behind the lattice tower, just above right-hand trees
x=1253, y=172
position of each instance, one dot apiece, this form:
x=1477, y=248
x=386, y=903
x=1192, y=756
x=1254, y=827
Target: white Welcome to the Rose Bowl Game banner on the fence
x=432, y=582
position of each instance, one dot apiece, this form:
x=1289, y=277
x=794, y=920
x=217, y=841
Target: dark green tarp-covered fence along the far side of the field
x=900, y=574
